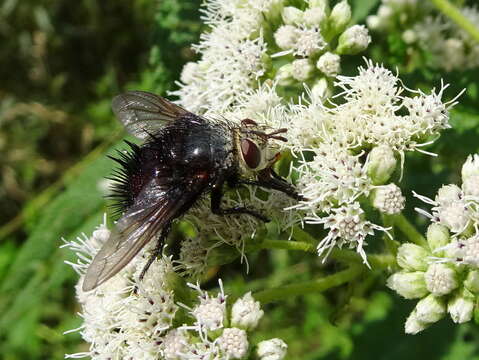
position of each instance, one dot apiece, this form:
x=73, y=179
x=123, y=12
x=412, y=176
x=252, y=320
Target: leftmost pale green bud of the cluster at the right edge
x=410, y=285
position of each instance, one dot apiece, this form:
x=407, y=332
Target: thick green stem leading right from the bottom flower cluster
x=312, y=286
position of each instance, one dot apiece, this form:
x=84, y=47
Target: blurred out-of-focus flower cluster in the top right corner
x=424, y=31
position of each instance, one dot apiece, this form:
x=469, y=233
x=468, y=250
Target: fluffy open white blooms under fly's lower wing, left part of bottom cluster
x=124, y=316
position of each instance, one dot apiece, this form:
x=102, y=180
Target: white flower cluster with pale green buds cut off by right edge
x=444, y=274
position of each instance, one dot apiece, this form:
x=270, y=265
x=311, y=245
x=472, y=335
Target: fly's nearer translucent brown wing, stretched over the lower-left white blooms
x=138, y=226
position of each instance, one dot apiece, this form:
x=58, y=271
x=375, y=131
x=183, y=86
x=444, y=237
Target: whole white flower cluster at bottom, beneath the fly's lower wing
x=142, y=319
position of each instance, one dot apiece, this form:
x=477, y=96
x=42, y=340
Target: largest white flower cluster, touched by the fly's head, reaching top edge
x=277, y=64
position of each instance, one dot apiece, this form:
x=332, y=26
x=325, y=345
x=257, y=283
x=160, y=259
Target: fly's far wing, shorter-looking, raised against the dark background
x=142, y=112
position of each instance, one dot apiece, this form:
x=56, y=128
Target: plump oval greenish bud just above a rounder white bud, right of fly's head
x=381, y=164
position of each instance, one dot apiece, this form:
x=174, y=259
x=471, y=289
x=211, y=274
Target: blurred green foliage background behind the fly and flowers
x=60, y=65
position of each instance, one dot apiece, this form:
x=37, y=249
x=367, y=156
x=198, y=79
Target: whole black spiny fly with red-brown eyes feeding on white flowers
x=184, y=156
